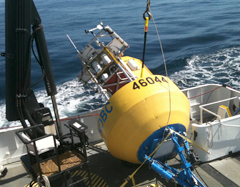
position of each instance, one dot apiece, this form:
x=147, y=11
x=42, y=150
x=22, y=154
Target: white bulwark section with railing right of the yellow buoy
x=213, y=127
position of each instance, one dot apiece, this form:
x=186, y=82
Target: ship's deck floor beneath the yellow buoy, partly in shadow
x=109, y=171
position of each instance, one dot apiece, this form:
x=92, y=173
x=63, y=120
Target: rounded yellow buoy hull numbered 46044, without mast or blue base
x=138, y=110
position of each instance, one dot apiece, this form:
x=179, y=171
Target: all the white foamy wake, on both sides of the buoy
x=221, y=67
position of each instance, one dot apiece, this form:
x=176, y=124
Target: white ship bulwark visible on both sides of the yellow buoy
x=217, y=137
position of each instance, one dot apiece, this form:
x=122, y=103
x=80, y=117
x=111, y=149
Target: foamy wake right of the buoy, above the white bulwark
x=221, y=67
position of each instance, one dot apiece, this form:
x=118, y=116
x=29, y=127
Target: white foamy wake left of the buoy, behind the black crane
x=73, y=97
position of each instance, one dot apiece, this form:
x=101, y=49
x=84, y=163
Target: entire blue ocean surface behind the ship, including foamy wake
x=201, y=44
